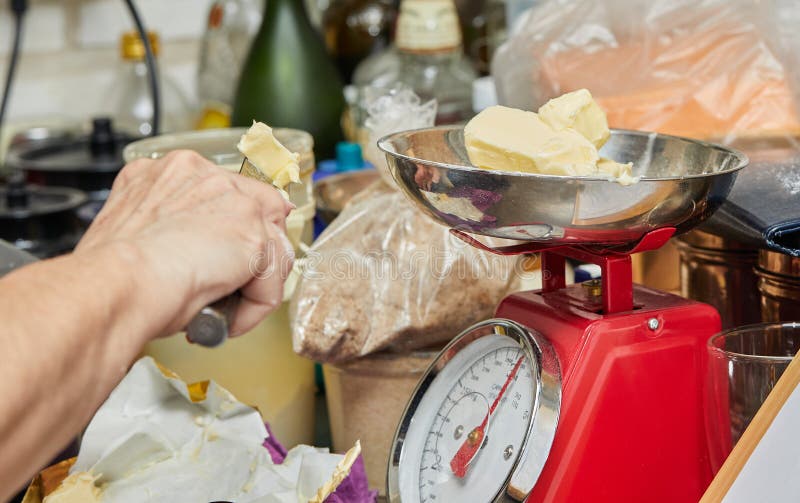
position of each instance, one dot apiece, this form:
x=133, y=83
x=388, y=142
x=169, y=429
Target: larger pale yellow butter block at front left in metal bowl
x=508, y=139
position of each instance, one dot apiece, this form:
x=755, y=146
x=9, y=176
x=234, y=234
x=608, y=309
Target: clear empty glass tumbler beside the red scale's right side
x=744, y=365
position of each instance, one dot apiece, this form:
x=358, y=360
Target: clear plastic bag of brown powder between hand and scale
x=385, y=276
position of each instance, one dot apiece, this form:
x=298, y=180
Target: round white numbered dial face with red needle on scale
x=471, y=424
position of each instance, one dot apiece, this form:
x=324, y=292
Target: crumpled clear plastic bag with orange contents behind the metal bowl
x=707, y=69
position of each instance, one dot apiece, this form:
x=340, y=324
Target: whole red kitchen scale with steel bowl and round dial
x=589, y=392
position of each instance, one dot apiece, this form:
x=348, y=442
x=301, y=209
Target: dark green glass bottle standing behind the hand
x=288, y=79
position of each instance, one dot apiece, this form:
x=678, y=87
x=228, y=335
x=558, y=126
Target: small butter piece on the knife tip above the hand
x=267, y=154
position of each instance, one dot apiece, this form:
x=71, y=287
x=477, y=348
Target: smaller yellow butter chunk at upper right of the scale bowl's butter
x=577, y=110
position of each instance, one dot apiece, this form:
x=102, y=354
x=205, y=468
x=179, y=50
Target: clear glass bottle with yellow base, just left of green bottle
x=230, y=29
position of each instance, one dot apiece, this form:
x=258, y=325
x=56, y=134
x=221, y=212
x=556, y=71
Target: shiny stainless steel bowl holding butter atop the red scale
x=682, y=182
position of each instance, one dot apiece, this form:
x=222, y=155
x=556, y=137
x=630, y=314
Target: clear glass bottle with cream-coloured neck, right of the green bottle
x=428, y=57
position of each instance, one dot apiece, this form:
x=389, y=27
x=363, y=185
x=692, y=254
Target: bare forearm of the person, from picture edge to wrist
x=71, y=328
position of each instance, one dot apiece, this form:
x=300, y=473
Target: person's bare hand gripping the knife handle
x=191, y=233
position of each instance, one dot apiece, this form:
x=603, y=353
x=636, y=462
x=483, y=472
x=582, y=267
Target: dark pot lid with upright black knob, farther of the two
x=100, y=151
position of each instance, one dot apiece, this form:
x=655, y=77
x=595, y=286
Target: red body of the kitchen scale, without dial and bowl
x=631, y=423
